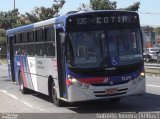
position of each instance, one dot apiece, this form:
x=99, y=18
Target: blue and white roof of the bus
x=59, y=19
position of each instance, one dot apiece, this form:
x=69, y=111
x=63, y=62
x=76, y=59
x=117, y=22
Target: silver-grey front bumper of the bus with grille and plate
x=133, y=87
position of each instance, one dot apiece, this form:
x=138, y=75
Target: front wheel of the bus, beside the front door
x=55, y=100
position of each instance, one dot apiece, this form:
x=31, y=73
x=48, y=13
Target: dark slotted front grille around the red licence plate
x=103, y=94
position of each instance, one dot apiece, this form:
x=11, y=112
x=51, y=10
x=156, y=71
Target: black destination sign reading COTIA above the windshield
x=103, y=19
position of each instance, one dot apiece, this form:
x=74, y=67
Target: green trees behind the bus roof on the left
x=13, y=18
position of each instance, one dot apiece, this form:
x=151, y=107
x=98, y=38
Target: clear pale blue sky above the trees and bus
x=147, y=6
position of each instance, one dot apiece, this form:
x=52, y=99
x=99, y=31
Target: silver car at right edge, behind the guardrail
x=151, y=54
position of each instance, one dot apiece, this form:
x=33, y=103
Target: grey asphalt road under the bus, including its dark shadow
x=12, y=101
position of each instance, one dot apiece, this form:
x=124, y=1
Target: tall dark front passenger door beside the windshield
x=61, y=63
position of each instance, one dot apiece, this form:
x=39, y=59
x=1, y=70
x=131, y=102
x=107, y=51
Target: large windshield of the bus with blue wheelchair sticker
x=104, y=48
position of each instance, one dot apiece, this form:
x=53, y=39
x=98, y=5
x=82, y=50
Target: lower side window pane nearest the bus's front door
x=50, y=49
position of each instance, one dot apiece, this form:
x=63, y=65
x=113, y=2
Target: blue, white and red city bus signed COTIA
x=80, y=56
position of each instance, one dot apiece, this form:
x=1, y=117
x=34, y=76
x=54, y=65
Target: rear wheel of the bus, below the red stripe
x=21, y=85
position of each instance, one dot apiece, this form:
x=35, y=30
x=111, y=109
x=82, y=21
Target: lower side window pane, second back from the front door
x=39, y=49
